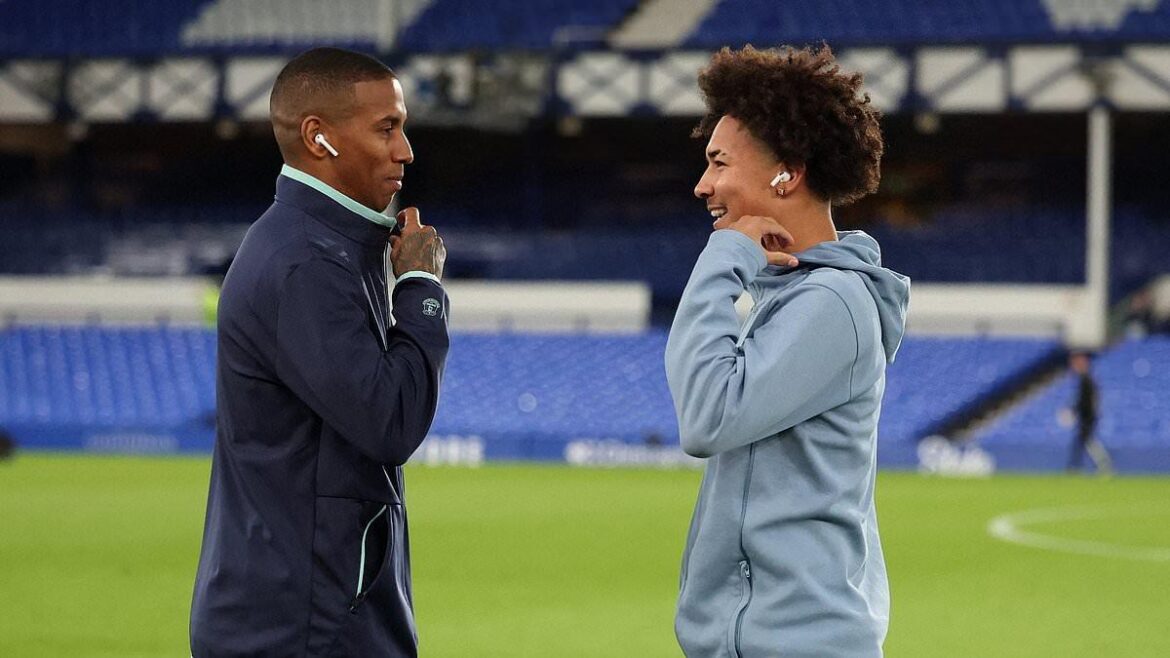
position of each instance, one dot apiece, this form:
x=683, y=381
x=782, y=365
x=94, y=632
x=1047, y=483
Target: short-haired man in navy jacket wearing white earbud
x=324, y=392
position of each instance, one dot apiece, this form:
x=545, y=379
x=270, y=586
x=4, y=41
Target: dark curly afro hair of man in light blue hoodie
x=806, y=109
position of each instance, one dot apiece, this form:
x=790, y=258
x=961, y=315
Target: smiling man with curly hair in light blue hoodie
x=783, y=556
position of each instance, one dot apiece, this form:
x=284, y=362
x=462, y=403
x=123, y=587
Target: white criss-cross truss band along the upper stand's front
x=944, y=79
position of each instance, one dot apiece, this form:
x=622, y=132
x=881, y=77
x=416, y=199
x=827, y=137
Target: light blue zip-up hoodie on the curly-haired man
x=783, y=557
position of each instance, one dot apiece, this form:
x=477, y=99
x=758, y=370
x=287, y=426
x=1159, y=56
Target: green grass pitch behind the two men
x=98, y=557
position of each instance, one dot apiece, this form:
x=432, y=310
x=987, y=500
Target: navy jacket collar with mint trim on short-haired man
x=332, y=208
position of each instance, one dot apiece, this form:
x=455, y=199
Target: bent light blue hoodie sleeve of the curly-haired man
x=796, y=365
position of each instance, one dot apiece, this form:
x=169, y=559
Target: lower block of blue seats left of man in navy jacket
x=70, y=387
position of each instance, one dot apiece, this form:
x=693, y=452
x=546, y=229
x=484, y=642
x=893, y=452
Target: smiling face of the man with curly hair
x=739, y=172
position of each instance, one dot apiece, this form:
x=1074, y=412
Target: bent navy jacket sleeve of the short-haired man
x=383, y=402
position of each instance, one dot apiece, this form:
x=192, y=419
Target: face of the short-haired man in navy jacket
x=374, y=149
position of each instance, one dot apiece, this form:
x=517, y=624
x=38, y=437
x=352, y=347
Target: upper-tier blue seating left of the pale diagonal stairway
x=140, y=28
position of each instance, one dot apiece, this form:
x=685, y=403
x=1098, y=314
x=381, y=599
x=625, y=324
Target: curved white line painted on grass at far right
x=1008, y=527
